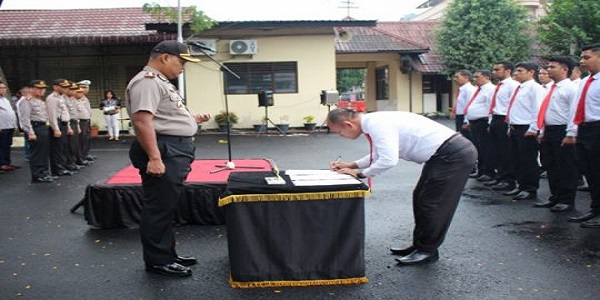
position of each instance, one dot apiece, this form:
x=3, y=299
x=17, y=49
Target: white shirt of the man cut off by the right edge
x=592, y=103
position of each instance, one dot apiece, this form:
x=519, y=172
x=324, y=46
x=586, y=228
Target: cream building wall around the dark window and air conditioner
x=315, y=56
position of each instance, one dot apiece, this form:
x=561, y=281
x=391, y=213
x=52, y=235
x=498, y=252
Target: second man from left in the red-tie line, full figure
x=477, y=113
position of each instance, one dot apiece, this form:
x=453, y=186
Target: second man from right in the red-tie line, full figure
x=556, y=158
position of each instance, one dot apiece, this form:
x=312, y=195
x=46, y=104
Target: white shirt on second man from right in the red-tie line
x=559, y=107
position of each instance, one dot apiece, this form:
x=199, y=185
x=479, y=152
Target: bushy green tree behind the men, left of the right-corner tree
x=476, y=33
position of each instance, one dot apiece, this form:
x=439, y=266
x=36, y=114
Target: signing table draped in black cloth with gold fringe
x=286, y=235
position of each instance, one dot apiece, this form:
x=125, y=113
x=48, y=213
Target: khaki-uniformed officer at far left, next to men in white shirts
x=34, y=122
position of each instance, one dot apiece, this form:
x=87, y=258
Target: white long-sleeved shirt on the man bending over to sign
x=399, y=134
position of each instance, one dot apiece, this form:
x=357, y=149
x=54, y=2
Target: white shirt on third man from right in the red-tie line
x=527, y=104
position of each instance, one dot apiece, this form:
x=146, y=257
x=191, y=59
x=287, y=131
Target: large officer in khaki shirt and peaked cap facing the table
x=162, y=152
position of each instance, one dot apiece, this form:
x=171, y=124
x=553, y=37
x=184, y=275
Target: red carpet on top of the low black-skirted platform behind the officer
x=201, y=171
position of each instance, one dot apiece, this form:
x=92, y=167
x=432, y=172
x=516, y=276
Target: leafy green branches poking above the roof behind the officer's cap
x=197, y=19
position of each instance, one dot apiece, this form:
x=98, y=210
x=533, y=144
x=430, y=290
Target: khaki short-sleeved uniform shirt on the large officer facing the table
x=151, y=91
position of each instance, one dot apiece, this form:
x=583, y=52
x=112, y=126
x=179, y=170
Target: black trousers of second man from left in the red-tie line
x=481, y=139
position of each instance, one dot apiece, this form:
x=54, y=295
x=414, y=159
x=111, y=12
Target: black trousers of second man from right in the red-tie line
x=559, y=162
